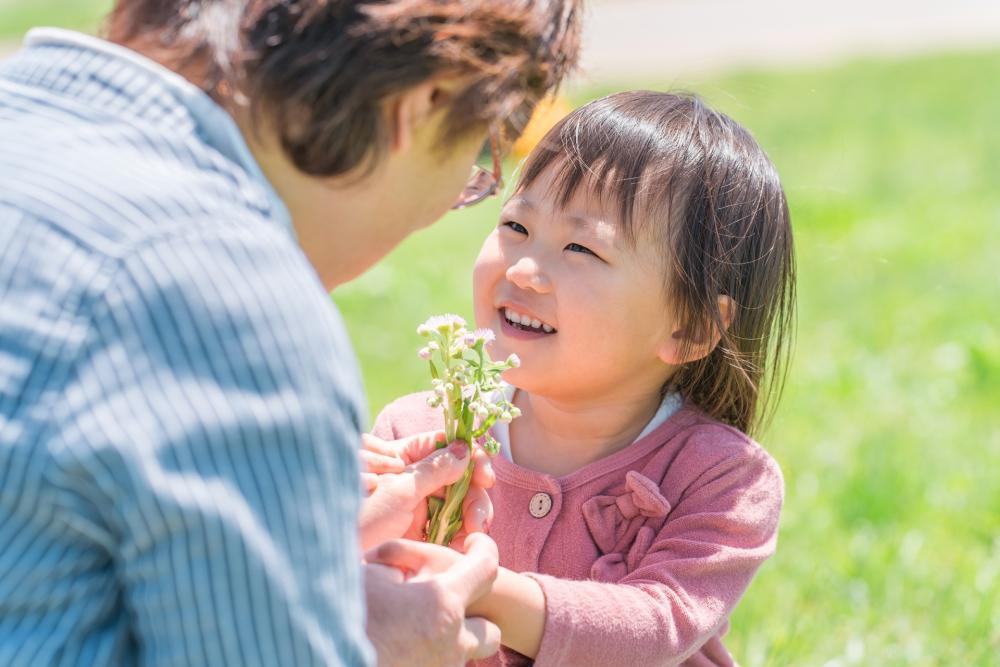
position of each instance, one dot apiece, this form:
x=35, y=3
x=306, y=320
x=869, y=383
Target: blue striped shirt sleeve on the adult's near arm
x=214, y=420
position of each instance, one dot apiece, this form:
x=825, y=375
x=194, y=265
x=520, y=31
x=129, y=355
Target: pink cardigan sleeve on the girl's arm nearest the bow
x=683, y=589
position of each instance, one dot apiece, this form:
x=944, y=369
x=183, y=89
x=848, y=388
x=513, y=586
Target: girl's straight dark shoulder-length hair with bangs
x=696, y=182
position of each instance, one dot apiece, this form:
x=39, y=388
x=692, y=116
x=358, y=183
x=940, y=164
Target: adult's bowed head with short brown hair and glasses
x=365, y=115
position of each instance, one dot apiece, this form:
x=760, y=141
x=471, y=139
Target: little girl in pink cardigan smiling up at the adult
x=643, y=272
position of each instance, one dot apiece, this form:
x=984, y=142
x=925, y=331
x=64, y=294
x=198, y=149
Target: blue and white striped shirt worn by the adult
x=179, y=403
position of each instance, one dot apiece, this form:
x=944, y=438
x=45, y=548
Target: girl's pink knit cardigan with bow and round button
x=641, y=555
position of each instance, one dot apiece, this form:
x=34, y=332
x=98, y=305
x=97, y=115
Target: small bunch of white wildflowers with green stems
x=466, y=385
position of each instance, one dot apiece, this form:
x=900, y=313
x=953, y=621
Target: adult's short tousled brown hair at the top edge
x=322, y=68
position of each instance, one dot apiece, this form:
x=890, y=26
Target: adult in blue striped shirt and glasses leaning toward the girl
x=179, y=406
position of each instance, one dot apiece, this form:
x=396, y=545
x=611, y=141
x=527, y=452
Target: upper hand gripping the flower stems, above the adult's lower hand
x=401, y=474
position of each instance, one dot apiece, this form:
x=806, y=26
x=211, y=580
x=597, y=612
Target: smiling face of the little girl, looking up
x=562, y=289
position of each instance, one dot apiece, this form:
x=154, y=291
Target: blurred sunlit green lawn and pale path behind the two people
x=882, y=118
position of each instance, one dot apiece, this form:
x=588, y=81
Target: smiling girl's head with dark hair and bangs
x=688, y=278
